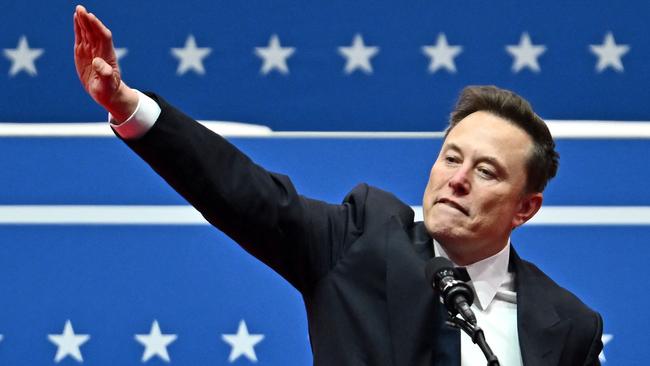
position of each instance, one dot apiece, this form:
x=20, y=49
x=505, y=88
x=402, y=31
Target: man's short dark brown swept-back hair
x=543, y=161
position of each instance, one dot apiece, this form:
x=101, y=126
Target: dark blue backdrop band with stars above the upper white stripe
x=370, y=65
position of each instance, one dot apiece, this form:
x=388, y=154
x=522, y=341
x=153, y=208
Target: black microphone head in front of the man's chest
x=456, y=294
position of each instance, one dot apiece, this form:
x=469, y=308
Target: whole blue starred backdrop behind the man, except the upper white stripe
x=95, y=272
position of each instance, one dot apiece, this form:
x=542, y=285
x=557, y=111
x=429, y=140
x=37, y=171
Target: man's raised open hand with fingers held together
x=97, y=67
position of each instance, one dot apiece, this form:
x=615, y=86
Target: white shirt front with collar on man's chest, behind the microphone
x=495, y=307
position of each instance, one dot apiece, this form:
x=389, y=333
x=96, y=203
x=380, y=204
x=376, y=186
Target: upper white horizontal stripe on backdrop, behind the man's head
x=559, y=129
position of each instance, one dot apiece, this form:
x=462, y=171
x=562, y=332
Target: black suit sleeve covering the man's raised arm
x=300, y=238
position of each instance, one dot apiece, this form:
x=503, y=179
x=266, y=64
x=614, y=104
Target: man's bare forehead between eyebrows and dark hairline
x=484, y=133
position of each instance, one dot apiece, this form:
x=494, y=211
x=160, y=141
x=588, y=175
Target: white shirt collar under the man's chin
x=487, y=275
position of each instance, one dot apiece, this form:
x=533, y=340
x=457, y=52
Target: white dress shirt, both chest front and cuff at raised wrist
x=495, y=305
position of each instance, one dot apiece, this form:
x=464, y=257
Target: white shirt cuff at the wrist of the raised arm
x=140, y=122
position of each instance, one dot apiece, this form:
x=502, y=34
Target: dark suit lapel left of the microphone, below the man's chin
x=419, y=335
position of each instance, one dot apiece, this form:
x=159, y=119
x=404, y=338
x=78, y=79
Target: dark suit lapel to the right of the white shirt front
x=542, y=333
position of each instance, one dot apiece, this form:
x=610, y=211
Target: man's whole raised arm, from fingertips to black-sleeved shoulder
x=298, y=237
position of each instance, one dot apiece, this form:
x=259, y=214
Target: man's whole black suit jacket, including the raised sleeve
x=359, y=265
